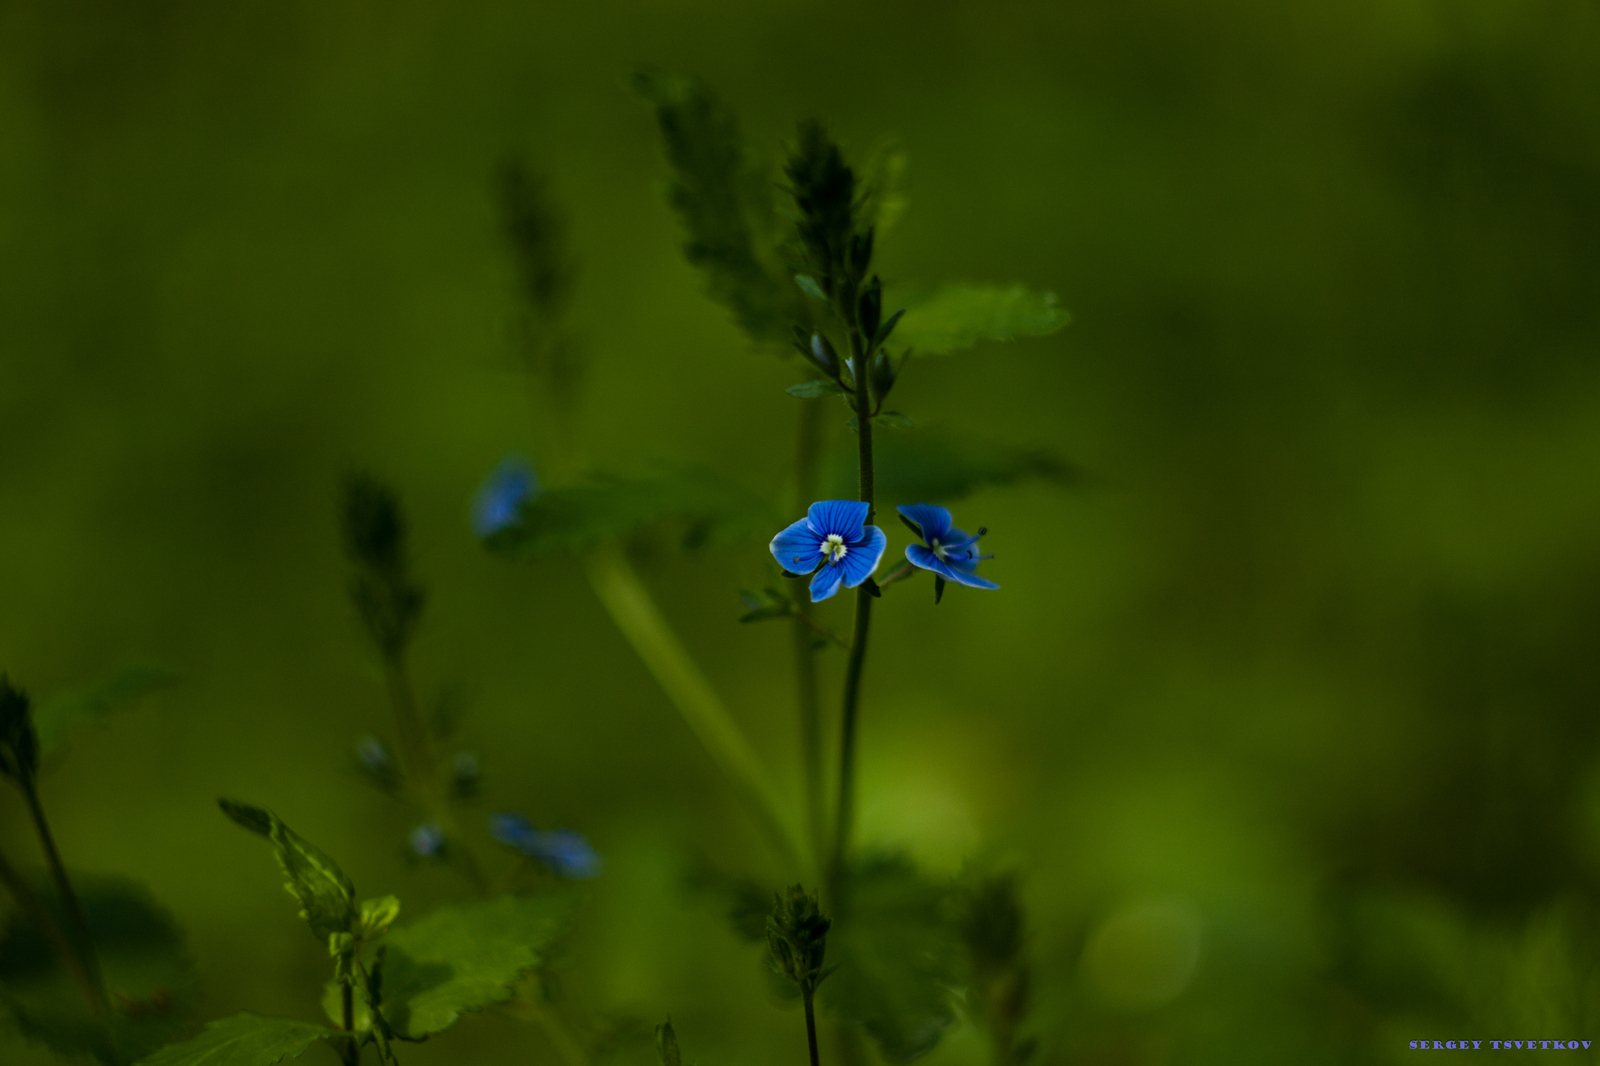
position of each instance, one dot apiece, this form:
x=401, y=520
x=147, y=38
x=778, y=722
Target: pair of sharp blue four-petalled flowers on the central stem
x=839, y=550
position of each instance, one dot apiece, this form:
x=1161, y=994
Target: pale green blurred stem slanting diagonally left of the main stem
x=625, y=598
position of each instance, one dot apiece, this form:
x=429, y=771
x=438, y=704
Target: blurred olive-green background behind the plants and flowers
x=1287, y=715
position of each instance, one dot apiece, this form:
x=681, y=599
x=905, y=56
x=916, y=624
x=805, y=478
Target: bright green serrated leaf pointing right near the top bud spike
x=959, y=316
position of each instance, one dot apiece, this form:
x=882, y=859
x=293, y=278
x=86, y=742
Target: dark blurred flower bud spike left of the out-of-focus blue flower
x=383, y=591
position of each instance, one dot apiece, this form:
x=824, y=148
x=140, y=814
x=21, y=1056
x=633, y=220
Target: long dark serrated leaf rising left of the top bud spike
x=726, y=207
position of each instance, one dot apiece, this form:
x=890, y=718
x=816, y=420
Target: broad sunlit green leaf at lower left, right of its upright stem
x=460, y=960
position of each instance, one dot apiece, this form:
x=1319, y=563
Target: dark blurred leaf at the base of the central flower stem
x=897, y=958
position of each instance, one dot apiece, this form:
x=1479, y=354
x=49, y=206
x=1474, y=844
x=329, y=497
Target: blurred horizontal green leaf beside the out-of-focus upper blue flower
x=710, y=508
